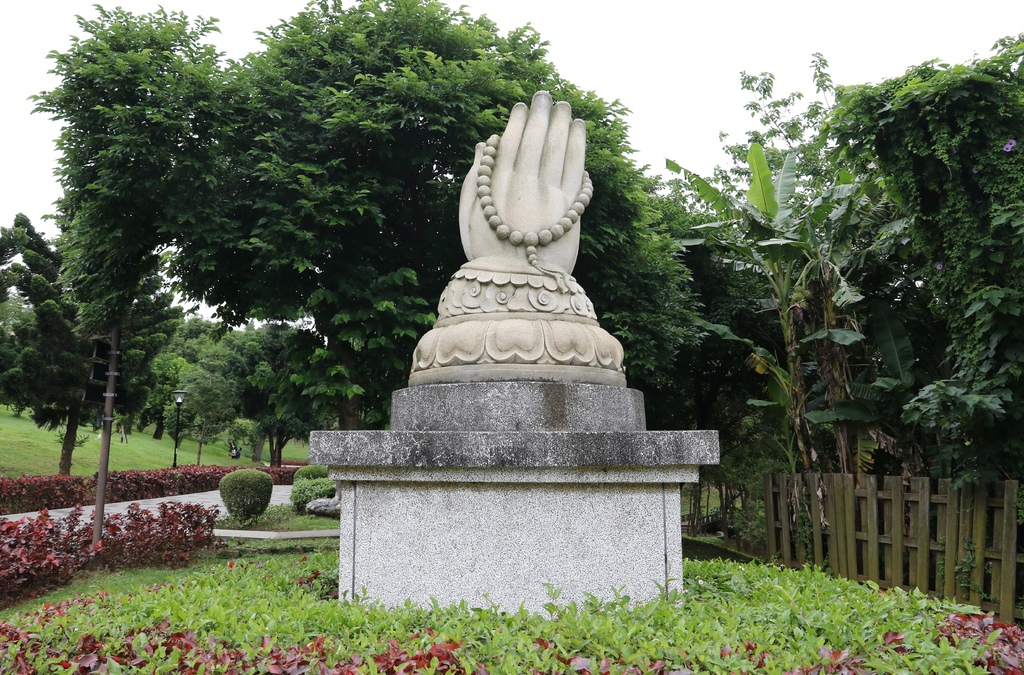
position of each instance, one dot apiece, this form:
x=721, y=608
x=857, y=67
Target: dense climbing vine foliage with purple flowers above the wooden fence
x=950, y=142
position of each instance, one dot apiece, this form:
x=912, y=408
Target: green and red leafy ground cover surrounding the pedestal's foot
x=275, y=611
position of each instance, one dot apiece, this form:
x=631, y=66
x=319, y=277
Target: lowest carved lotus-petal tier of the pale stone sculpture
x=502, y=348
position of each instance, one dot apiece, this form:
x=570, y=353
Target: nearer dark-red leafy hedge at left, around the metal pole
x=40, y=554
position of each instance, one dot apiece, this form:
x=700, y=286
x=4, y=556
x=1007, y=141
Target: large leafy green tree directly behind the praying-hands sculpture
x=323, y=177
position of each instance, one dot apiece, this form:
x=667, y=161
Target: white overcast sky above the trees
x=674, y=64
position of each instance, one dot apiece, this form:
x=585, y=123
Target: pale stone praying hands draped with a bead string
x=523, y=199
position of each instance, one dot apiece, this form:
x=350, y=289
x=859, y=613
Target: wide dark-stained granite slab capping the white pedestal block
x=513, y=449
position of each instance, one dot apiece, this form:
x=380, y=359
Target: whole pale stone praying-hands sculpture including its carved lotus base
x=514, y=312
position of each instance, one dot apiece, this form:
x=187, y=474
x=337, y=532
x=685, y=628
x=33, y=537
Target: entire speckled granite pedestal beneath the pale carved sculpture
x=499, y=492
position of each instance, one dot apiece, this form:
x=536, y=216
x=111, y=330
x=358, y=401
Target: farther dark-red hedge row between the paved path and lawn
x=57, y=492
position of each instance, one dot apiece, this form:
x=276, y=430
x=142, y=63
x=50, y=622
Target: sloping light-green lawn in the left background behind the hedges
x=28, y=449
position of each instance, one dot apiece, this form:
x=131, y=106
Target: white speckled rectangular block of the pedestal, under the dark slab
x=506, y=543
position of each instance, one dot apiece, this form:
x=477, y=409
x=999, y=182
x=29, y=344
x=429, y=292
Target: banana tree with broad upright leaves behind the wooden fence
x=802, y=247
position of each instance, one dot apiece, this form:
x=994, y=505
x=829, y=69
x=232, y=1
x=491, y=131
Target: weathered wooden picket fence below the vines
x=964, y=544
